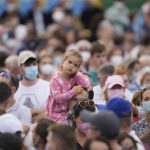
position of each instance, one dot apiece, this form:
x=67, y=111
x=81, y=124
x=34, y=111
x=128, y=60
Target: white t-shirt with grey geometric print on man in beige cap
x=34, y=96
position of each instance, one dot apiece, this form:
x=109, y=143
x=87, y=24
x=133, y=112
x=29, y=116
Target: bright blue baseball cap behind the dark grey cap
x=120, y=106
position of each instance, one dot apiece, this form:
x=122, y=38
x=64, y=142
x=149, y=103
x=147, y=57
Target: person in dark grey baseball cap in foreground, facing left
x=104, y=124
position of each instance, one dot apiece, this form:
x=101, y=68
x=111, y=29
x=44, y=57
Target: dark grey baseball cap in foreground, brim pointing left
x=105, y=121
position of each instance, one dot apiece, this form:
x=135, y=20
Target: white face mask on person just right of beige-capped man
x=47, y=69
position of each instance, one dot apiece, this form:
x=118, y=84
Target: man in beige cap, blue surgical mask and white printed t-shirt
x=29, y=92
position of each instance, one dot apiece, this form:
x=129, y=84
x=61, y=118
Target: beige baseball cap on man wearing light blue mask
x=25, y=55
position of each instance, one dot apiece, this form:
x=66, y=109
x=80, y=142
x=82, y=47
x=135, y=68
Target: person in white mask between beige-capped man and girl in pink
x=46, y=67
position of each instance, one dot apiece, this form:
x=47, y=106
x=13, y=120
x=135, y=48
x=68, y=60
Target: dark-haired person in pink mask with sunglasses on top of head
x=81, y=128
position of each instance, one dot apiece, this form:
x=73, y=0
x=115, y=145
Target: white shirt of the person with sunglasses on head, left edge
x=21, y=112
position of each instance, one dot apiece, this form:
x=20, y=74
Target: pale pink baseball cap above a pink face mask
x=114, y=80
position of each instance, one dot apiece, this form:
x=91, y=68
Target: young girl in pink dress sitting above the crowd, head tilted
x=65, y=85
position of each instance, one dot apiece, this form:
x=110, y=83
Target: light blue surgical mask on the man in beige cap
x=31, y=72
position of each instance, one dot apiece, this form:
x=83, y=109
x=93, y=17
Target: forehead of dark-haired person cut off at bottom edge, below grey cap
x=97, y=145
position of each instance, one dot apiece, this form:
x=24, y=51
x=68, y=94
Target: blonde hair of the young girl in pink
x=72, y=52
